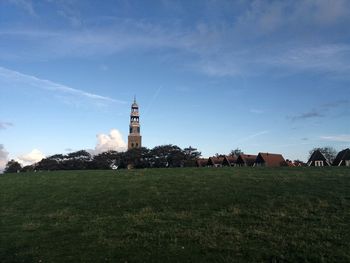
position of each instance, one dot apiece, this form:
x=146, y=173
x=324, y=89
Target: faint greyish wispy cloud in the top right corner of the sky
x=265, y=17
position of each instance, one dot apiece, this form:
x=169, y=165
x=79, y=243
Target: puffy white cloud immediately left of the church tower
x=112, y=141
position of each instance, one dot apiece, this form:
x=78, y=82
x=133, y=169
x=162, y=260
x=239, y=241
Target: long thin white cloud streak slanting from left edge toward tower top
x=34, y=82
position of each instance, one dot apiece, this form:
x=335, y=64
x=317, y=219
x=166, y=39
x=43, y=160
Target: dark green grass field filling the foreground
x=176, y=215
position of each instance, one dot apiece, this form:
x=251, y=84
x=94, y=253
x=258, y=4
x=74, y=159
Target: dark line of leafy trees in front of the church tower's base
x=158, y=157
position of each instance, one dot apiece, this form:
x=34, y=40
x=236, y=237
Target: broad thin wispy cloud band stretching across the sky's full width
x=207, y=51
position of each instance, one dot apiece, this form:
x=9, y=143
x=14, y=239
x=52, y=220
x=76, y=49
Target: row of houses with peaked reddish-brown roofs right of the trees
x=274, y=160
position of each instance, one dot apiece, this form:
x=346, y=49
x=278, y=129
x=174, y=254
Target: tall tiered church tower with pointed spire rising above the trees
x=134, y=138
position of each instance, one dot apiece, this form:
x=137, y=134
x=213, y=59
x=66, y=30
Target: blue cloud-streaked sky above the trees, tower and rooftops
x=262, y=76
